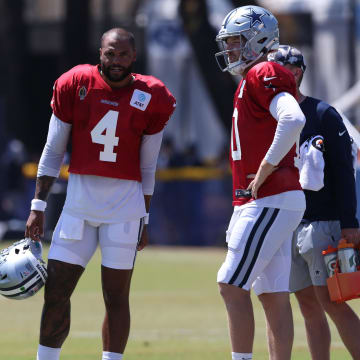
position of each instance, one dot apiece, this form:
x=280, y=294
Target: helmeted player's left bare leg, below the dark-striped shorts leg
x=241, y=317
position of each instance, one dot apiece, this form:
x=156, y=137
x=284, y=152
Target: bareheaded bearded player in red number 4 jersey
x=115, y=119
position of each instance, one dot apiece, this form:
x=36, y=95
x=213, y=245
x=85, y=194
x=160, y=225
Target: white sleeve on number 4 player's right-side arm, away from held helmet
x=149, y=152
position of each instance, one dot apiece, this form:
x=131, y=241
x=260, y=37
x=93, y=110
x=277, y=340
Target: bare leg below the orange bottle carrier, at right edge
x=345, y=319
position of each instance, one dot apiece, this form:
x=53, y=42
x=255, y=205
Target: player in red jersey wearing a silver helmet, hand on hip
x=267, y=196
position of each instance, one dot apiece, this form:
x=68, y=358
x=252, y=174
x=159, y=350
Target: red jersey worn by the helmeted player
x=253, y=130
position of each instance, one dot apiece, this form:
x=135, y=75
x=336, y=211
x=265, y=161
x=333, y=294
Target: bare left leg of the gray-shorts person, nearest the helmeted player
x=316, y=325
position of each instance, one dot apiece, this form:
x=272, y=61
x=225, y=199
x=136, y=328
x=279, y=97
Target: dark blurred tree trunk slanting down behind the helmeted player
x=221, y=86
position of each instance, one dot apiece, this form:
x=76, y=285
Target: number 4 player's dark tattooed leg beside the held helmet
x=55, y=318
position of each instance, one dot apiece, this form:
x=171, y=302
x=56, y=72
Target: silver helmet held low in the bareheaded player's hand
x=22, y=271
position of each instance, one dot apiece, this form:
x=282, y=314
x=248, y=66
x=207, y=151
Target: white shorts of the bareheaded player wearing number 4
x=74, y=241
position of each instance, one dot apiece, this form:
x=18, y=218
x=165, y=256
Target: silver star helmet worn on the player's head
x=258, y=31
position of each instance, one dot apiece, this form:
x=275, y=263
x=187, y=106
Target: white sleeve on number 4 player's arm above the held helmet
x=55, y=147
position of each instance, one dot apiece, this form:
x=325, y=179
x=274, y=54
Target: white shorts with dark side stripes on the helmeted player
x=259, y=249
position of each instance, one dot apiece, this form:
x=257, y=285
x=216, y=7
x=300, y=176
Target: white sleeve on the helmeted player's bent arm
x=286, y=110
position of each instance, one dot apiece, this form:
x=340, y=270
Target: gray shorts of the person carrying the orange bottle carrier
x=309, y=240
